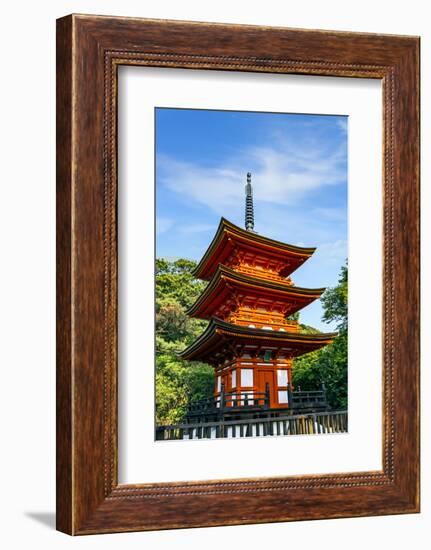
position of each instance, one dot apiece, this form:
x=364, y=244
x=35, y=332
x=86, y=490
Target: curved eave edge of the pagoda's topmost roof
x=276, y=247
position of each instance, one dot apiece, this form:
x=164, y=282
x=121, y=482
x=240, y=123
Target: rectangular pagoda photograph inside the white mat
x=251, y=274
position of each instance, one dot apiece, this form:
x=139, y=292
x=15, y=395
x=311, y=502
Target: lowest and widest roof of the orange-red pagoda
x=220, y=338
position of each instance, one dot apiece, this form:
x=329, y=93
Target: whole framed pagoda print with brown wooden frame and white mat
x=238, y=274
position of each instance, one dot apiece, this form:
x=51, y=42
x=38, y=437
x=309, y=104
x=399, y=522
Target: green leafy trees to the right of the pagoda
x=329, y=364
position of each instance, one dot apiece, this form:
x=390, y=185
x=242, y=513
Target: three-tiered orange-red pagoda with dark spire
x=251, y=339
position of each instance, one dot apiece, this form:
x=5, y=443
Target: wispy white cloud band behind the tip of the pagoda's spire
x=283, y=174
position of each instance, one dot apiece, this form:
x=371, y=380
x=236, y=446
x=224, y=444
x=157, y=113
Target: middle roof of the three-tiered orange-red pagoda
x=225, y=282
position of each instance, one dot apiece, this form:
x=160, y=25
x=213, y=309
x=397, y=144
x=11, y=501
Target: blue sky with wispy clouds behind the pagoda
x=299, y=176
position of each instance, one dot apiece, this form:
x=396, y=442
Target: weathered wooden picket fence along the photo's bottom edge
x=313, y=423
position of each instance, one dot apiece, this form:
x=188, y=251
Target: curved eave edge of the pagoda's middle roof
x=225, y=275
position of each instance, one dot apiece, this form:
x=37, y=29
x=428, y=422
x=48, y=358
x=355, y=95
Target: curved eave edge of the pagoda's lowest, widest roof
x=218, y=331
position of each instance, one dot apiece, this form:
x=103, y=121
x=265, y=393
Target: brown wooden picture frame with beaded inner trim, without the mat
x=89, y=51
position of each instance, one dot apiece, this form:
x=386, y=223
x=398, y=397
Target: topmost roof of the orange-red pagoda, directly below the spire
x=228, y=235
